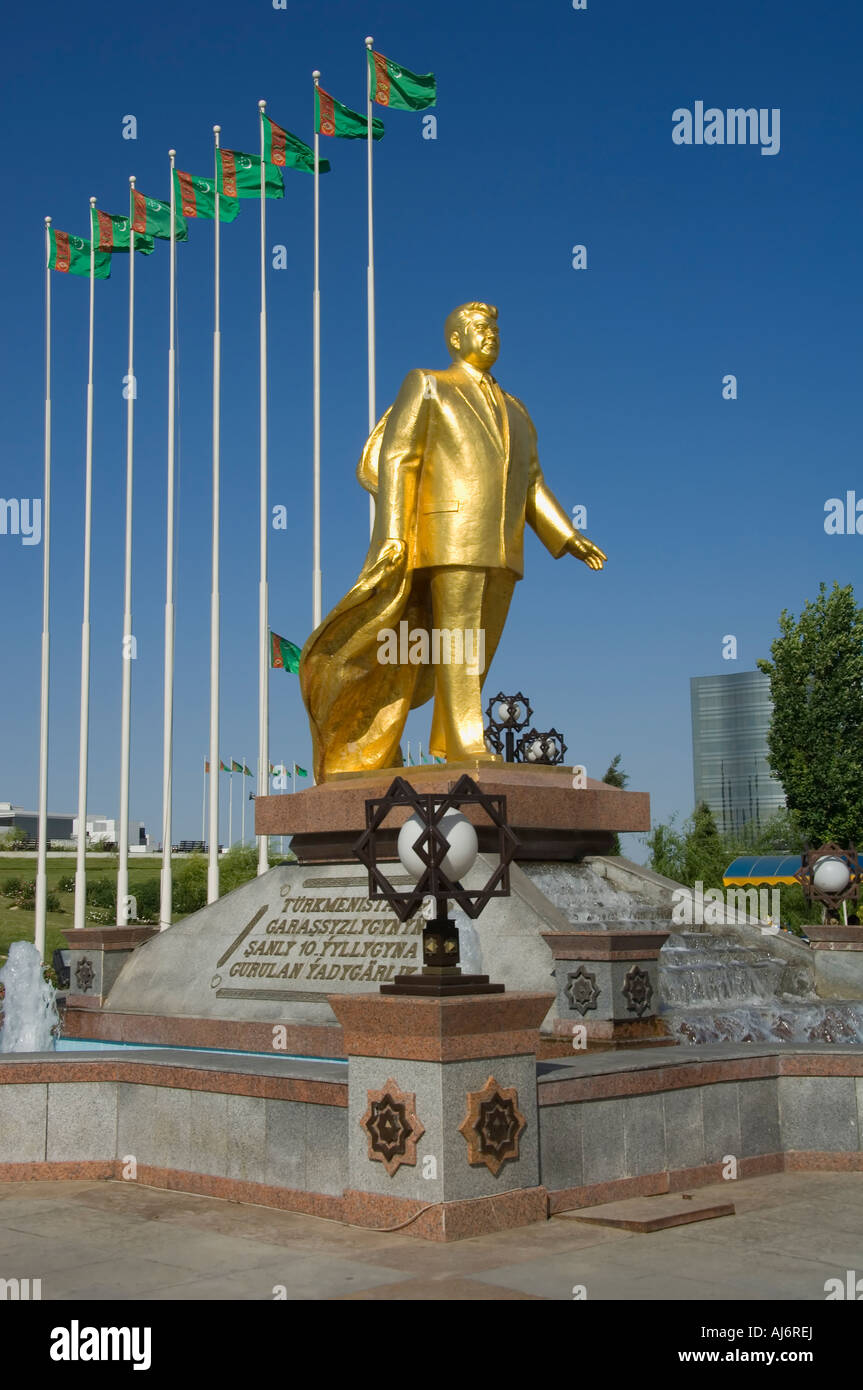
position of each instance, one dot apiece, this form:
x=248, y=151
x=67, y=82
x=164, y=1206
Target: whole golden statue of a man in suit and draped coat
x=455, y=471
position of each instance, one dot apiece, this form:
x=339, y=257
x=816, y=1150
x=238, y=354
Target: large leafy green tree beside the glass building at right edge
x=816, y=735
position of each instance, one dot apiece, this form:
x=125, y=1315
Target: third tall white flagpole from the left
x=123, y=849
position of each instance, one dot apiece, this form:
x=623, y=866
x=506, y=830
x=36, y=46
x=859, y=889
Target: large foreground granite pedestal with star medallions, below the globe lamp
x=443, y=1128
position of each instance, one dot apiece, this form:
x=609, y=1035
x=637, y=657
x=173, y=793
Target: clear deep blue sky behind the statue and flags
x=555, y=129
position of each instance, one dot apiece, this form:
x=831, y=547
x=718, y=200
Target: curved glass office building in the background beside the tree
x=730, y=722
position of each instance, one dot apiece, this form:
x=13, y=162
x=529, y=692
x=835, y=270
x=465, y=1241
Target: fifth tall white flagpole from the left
x=215, y=586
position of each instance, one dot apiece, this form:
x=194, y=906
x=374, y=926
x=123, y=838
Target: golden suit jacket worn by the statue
x=457, y=479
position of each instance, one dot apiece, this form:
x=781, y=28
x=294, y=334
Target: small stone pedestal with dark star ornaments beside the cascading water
x=608, y=985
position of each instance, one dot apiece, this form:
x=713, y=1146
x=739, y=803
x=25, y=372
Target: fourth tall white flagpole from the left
x=165, y=897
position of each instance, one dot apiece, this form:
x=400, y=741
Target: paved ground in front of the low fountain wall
x=115, y=1241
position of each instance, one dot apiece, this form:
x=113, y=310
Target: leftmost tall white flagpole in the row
x=47, y=579
